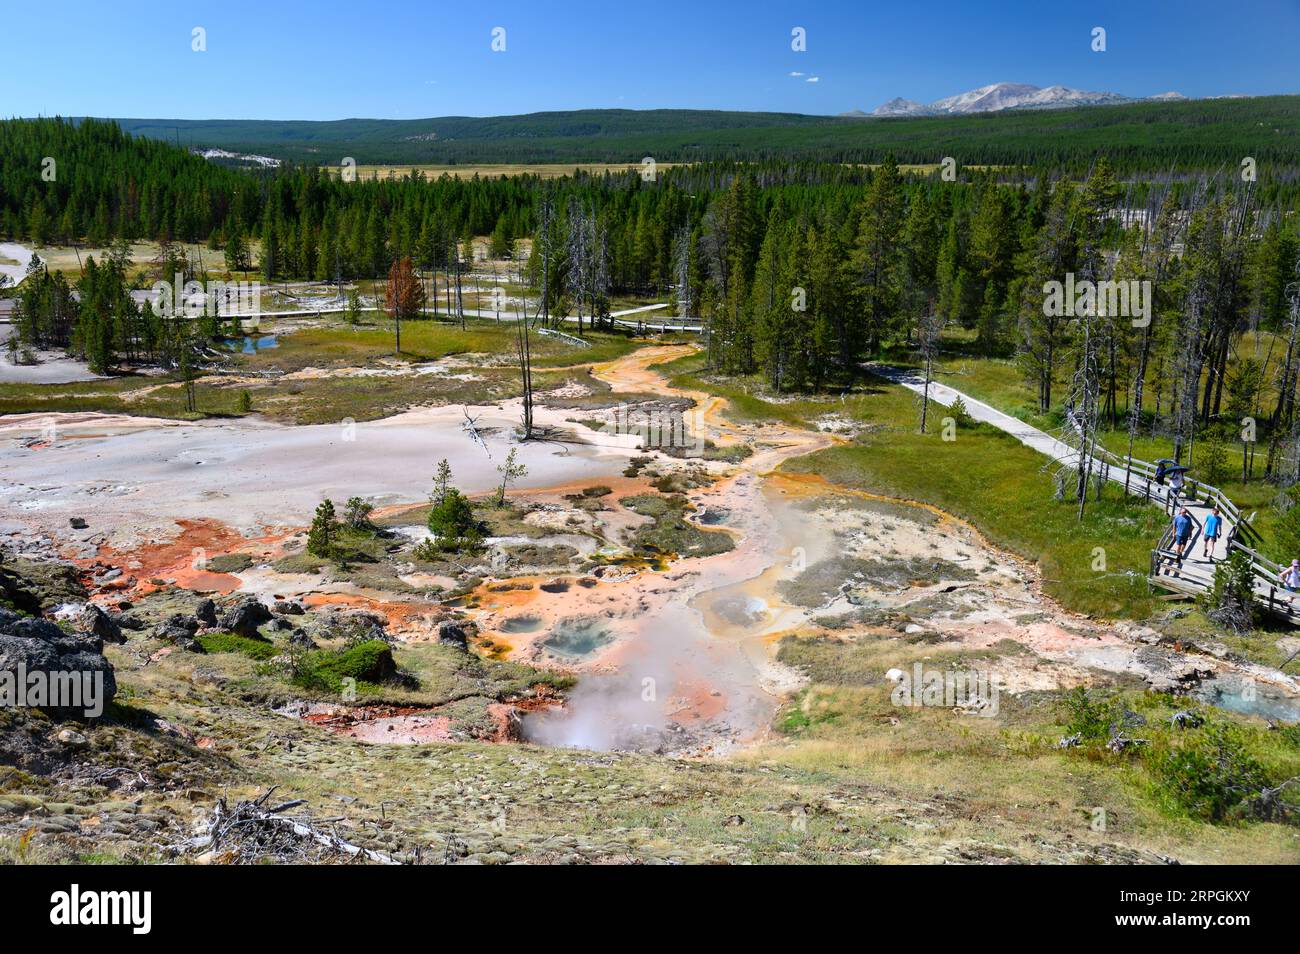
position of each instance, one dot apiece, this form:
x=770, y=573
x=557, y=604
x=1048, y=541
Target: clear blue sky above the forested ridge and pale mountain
x=395, y=59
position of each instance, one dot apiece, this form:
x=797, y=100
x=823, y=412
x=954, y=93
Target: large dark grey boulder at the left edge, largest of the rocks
x=79, y=682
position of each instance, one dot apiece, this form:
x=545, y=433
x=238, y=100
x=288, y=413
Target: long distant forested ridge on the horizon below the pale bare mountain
x=1136, y=137
